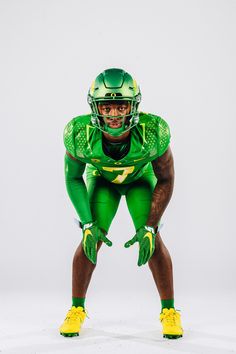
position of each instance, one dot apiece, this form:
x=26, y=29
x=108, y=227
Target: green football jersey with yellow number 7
x=149, y=139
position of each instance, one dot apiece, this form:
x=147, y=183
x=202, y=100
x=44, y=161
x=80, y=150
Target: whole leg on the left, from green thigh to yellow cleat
x=104, y=202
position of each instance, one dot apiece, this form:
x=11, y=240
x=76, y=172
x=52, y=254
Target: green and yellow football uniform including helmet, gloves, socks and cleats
x=114, y=169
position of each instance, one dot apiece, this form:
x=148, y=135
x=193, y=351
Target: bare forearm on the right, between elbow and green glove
x=160, y=199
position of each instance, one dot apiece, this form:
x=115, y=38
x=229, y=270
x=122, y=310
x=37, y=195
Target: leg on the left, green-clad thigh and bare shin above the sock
x=104, y=201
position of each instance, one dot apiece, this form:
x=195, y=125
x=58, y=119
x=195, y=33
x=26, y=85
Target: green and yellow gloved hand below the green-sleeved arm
x=91, y=235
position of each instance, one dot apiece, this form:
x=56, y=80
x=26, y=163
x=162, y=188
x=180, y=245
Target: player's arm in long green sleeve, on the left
x=77, y=190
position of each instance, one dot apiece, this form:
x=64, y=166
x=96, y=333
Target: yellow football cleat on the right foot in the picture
x=171, y=323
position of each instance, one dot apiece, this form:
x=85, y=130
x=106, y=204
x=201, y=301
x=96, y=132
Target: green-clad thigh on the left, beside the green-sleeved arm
x=104, y=200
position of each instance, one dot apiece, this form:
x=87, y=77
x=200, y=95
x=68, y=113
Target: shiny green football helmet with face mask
x=114, y=86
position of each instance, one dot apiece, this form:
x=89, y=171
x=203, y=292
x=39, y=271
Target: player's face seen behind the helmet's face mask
x=116, y=110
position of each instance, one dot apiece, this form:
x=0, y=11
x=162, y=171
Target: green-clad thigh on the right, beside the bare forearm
x=139, y=197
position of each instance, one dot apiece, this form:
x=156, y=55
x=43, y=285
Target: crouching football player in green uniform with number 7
x=126, y=153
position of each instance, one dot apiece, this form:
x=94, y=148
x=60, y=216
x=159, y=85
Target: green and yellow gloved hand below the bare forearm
x=146, y=238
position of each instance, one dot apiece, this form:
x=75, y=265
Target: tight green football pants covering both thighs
x=104, y=197
